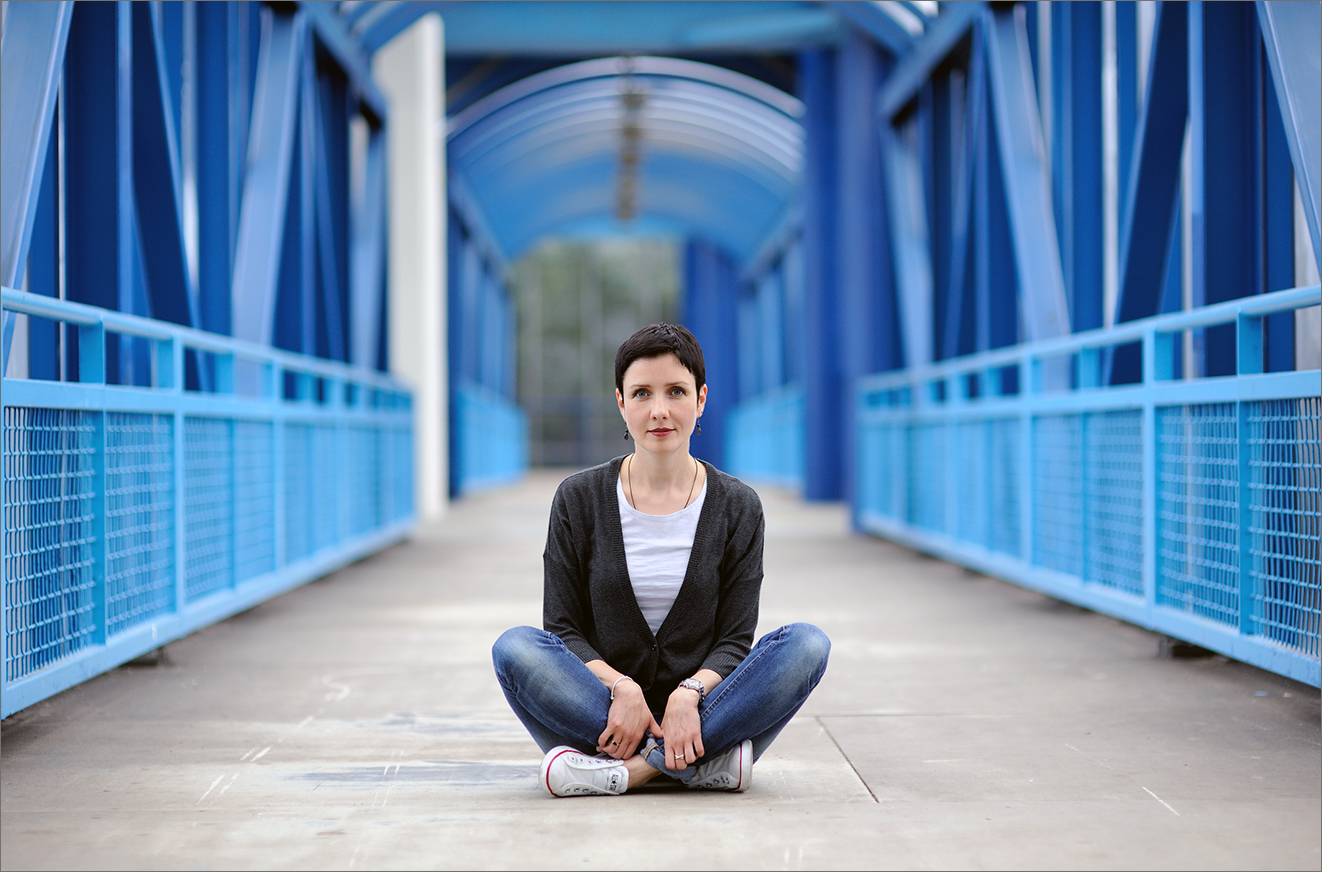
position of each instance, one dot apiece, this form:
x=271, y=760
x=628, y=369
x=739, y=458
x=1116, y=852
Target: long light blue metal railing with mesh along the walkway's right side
x=1188, y=507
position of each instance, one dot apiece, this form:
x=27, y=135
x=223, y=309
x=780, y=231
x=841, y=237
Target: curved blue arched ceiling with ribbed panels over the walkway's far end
x=631, y=146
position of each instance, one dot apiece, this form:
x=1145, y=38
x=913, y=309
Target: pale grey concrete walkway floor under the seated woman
x=963, y=723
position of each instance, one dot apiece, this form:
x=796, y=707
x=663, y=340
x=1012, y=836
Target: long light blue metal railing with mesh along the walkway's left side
x=134, y=516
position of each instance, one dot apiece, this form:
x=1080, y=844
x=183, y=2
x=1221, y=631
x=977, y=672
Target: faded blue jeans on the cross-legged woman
x=561, y=702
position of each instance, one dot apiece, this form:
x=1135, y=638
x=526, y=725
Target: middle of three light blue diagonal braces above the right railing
x=1028, y=188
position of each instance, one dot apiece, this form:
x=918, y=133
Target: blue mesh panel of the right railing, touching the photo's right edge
x=1283, y=443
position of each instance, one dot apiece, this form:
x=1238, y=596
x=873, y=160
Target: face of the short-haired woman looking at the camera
x=660, y=404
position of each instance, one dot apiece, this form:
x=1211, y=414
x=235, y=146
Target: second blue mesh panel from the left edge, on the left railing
x=139, y=519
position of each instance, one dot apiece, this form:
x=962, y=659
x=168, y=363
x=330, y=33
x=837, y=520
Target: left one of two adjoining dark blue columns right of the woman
x=823, y=389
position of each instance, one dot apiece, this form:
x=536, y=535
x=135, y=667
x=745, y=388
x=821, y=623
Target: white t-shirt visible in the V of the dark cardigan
x=658, y=550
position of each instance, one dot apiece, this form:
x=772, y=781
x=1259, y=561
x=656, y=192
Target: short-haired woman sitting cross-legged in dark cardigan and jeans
x=652, y=578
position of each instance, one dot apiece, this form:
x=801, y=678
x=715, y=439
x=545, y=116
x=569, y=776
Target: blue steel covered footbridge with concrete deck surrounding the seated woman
x=1029, y=289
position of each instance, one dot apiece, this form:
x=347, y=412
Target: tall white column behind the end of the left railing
x=412, y=72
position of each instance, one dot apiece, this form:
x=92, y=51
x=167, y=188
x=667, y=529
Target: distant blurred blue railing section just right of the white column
x=491, y=439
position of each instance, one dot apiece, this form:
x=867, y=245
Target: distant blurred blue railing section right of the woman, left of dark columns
x=765, y=438
